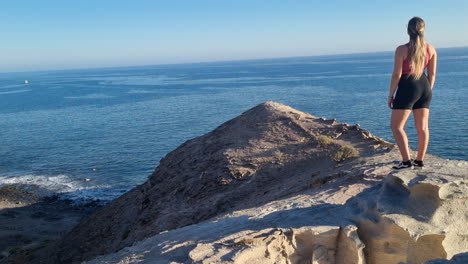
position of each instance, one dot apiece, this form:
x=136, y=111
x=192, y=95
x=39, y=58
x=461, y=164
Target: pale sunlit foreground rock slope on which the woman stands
x=381, y=217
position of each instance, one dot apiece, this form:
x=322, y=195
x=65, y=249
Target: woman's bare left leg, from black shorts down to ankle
x=399, y=117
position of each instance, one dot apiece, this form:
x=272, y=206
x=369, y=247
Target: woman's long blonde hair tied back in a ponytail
x=417, y=46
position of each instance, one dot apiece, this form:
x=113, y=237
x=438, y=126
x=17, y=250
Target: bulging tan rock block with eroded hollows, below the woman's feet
x=416, y=215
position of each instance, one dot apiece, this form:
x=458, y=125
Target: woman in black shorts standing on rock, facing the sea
x=414, y=91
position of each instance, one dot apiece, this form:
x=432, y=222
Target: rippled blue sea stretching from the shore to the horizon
x=97, y=133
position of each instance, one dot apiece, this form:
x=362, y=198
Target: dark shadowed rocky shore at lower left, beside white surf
x=32, y=219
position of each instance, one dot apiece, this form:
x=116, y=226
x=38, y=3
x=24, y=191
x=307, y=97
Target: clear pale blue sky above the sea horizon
x=63, y=34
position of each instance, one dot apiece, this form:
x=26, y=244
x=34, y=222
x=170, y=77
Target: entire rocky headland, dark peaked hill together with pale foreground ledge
x=276, y=185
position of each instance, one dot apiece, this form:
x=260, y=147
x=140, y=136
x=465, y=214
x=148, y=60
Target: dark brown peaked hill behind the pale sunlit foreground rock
x=243, y=163
